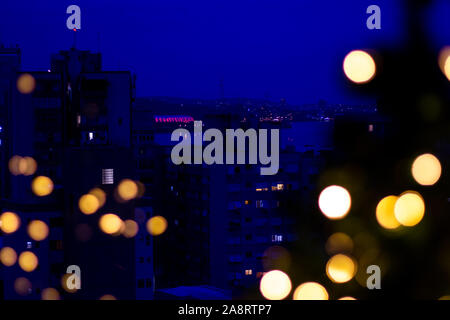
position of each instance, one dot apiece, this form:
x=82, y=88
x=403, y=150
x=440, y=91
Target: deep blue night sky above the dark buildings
x=260, y=48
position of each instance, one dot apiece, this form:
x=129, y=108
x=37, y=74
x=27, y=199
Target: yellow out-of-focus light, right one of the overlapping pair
x=409, y=208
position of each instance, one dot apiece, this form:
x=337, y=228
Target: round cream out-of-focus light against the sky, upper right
x=359, y=66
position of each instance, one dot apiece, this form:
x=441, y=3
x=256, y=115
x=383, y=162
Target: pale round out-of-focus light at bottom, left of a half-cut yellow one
x=275, y=285
